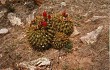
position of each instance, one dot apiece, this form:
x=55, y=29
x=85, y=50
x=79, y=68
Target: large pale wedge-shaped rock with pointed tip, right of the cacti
x=91, y=37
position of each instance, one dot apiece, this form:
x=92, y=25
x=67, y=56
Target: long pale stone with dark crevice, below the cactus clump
x=32, y=65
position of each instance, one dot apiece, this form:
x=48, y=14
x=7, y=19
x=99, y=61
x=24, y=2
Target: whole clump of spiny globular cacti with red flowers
x=50, y=31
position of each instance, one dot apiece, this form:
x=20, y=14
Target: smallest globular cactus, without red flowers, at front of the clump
x=60, y=40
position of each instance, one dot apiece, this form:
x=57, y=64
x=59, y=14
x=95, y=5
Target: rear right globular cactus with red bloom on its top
x=64, y=23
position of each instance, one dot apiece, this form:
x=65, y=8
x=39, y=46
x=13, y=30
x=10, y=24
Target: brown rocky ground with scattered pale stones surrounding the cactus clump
x=89, y=52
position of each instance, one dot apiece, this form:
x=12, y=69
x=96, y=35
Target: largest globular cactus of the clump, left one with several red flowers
x=39, y=34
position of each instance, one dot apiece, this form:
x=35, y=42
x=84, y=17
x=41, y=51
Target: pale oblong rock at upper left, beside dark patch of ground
x=14, y=19
